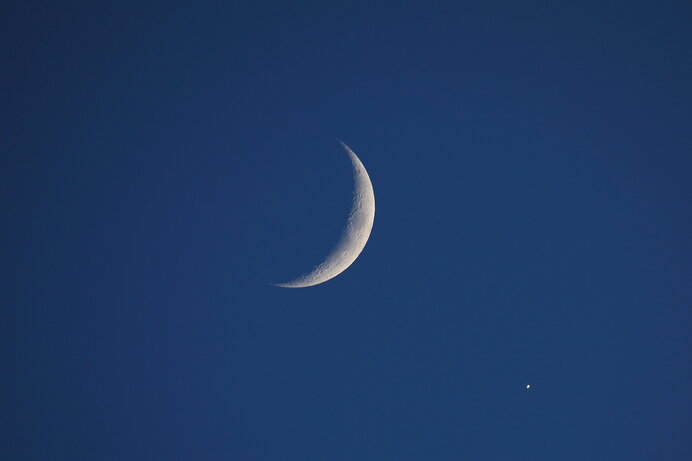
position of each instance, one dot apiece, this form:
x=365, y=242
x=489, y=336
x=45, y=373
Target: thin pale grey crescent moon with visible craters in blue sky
x=354, y=236
